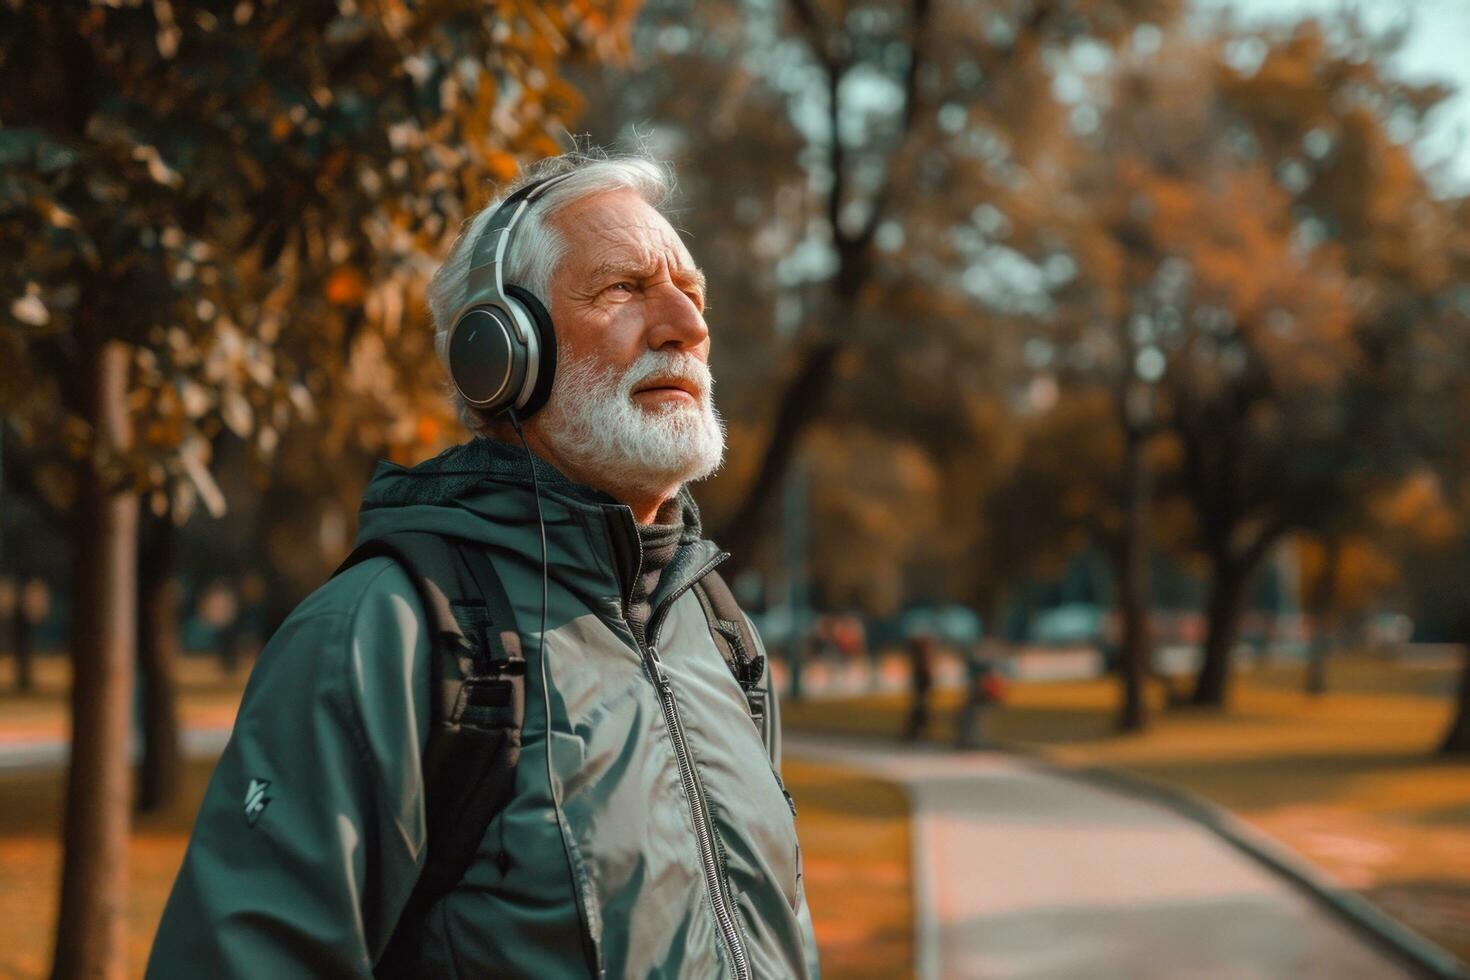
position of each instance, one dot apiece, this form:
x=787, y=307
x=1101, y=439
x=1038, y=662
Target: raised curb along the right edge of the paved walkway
x=1424, y=956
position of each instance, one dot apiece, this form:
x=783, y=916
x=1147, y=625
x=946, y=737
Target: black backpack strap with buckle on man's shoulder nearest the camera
x=477, y=710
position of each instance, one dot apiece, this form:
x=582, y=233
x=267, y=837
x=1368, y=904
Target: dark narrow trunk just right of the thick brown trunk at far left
x=162, y=765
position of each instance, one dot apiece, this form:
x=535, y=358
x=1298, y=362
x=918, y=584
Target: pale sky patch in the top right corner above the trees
x=1437, y=49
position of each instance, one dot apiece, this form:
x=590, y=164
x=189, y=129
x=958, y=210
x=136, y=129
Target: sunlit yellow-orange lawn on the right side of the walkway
x=1347, y=779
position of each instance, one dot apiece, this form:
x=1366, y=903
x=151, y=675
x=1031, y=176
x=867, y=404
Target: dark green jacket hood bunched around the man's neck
x=478, y=489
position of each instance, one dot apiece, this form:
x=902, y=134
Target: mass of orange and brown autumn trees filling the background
x=999, y=293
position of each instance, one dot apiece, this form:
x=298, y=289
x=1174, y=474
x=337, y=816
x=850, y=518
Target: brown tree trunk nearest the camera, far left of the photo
x=92, y=923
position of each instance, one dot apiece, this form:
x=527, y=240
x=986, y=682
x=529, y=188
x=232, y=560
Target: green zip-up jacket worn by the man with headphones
x=312, y=832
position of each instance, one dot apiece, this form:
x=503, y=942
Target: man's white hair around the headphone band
x=537, y=248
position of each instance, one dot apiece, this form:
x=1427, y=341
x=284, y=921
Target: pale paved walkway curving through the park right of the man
x=1025, y=873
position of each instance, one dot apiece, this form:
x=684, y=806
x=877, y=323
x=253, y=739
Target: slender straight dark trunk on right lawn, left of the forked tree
x=1134, y=590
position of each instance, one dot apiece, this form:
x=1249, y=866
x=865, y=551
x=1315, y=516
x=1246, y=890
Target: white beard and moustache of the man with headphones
x=595, y=425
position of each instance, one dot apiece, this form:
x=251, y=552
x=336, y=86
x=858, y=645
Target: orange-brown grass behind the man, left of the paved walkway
x=855, y=837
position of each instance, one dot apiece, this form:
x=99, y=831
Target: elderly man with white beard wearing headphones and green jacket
x=553, y=753
